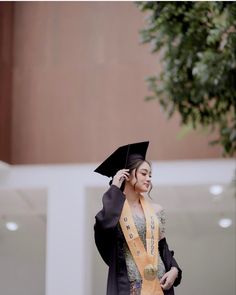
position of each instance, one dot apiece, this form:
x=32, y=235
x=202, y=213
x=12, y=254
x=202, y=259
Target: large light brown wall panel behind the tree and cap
x=78, y=86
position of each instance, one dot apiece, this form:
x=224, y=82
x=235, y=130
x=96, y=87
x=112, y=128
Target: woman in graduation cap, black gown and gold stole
x=129, y=232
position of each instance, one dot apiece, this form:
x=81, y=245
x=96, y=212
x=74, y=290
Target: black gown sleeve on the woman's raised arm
x=106, y=222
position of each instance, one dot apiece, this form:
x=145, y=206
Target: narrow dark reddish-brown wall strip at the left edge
x=6, y=37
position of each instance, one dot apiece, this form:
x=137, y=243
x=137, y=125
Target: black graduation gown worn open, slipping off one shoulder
x=110, y=240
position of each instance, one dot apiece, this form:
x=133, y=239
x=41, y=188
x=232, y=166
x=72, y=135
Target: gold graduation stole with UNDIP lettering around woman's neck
x=146, y=261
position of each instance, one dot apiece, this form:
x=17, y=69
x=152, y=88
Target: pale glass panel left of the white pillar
x=23, y=249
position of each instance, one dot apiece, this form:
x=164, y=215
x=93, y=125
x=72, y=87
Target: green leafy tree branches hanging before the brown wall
x=196, y=42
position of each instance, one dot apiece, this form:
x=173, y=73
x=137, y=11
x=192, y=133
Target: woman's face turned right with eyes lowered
x=142, y=180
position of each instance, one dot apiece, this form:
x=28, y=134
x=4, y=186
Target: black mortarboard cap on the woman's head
x=119, y=159
